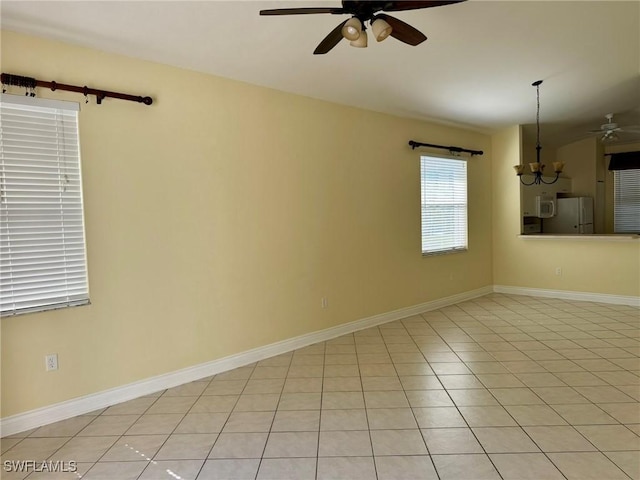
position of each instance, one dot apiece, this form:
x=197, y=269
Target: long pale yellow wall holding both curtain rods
x=218, y=217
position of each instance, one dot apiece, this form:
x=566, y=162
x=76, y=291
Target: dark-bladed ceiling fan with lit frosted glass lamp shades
x=354, y=28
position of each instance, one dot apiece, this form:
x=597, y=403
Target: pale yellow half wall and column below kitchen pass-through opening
x=595, y=266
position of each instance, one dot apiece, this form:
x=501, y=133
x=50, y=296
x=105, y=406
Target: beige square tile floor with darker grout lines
x=499, y=387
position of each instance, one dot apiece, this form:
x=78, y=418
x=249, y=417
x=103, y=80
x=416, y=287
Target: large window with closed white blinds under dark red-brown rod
x=42, y=244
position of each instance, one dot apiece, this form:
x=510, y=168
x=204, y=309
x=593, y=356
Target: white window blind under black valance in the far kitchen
x=626, y=199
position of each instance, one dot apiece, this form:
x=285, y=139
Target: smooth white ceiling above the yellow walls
x=475, y=70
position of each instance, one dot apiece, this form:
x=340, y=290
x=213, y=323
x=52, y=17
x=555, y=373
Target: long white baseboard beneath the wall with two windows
x=89, y=403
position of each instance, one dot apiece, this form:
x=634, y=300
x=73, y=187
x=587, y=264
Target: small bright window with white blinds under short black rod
x=443, y=186
